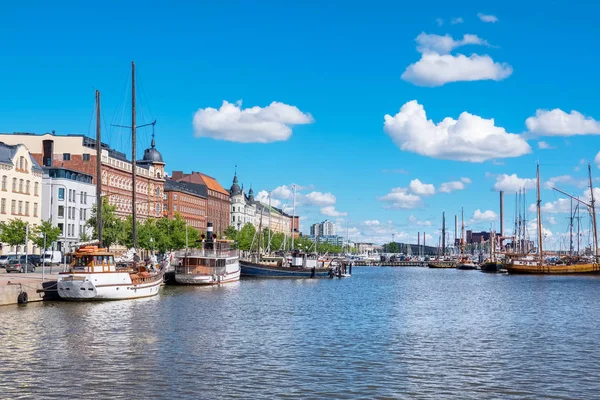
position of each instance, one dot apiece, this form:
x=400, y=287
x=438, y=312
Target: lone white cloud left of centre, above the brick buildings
x=251, y=125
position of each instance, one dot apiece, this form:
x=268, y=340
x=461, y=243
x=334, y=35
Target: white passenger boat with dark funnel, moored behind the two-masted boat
x=214, y=264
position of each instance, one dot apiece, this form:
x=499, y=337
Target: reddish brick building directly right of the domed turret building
x=187, y=199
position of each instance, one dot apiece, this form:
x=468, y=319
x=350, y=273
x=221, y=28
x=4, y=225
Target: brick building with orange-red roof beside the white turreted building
x=218, y=205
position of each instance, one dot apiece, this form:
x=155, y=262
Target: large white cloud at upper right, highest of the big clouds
x=438, y=69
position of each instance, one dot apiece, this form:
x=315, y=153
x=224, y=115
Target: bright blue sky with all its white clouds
x=382, y=115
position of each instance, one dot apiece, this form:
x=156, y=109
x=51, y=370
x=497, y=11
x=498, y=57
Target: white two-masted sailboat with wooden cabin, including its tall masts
x=93, y=273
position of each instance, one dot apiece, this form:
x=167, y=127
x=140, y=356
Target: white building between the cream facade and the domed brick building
x=68, y=199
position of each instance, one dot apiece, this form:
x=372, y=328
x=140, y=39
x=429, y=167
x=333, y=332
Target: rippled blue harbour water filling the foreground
x=384, y=333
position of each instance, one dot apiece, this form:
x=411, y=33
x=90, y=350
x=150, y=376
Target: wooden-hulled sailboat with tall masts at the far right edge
x=520, y=265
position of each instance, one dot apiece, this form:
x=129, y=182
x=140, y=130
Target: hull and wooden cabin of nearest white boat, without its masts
x=94, y=275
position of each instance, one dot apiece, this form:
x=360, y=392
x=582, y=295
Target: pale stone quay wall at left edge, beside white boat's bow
x=16, y=288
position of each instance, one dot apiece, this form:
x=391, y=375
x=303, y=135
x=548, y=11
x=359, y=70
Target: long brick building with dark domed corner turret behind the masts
x=78, y=153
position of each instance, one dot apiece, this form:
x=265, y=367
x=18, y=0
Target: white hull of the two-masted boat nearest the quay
x=105, y=286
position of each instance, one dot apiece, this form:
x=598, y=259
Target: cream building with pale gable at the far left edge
x=21, y=188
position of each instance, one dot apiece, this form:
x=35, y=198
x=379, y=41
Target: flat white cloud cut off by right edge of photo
x=558, y=123
